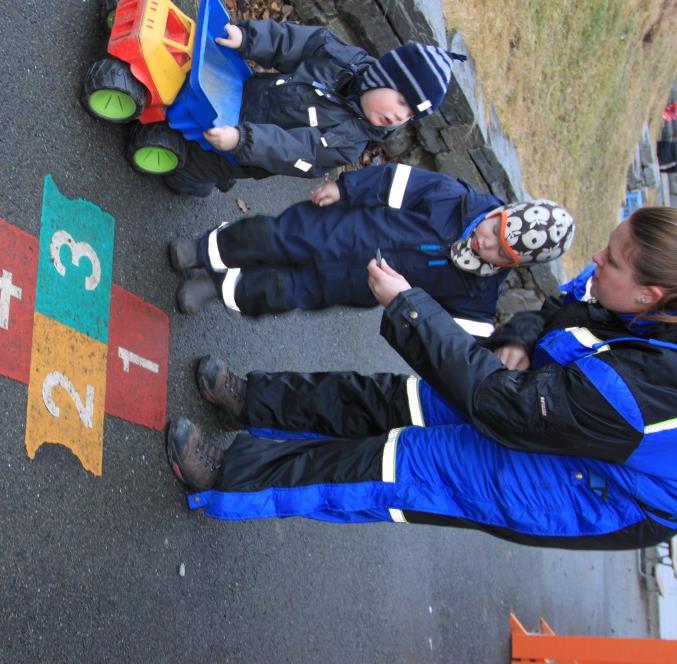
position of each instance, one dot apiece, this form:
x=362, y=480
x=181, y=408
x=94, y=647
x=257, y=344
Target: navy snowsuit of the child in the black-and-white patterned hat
x=314, y=257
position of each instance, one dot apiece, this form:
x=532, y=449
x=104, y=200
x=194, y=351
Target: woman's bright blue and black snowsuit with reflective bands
x=578, y=452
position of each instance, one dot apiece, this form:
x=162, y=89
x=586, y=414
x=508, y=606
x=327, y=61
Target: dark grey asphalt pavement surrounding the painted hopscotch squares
x=90, y=566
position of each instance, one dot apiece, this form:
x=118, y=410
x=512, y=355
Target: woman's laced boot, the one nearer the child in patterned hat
x=226, y=390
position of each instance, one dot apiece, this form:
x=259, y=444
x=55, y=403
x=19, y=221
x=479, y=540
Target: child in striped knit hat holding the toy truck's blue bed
x=329, y=101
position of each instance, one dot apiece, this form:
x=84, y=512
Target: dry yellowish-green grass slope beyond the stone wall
x=573, y=81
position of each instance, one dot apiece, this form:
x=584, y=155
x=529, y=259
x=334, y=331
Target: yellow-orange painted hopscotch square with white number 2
x=66, y=392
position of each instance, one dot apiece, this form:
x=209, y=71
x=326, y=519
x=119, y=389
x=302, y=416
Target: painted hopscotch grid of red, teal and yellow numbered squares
x=84, y=345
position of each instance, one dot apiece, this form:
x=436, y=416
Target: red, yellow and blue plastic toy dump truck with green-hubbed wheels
x=165, y=73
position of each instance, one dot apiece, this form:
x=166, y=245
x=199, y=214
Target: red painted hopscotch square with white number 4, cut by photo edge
x=18, y=273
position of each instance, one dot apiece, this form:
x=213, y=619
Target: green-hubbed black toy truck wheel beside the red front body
x=112, y=93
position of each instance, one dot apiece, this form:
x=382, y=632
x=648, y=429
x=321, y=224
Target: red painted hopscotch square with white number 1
x=138, y=353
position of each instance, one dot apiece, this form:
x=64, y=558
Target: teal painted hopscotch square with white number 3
x=75, y=263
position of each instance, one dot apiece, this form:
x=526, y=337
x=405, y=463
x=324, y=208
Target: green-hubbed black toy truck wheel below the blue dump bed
x=156, y=149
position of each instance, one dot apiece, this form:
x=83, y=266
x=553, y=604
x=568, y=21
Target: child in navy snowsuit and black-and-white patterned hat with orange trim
x=438, y=232
